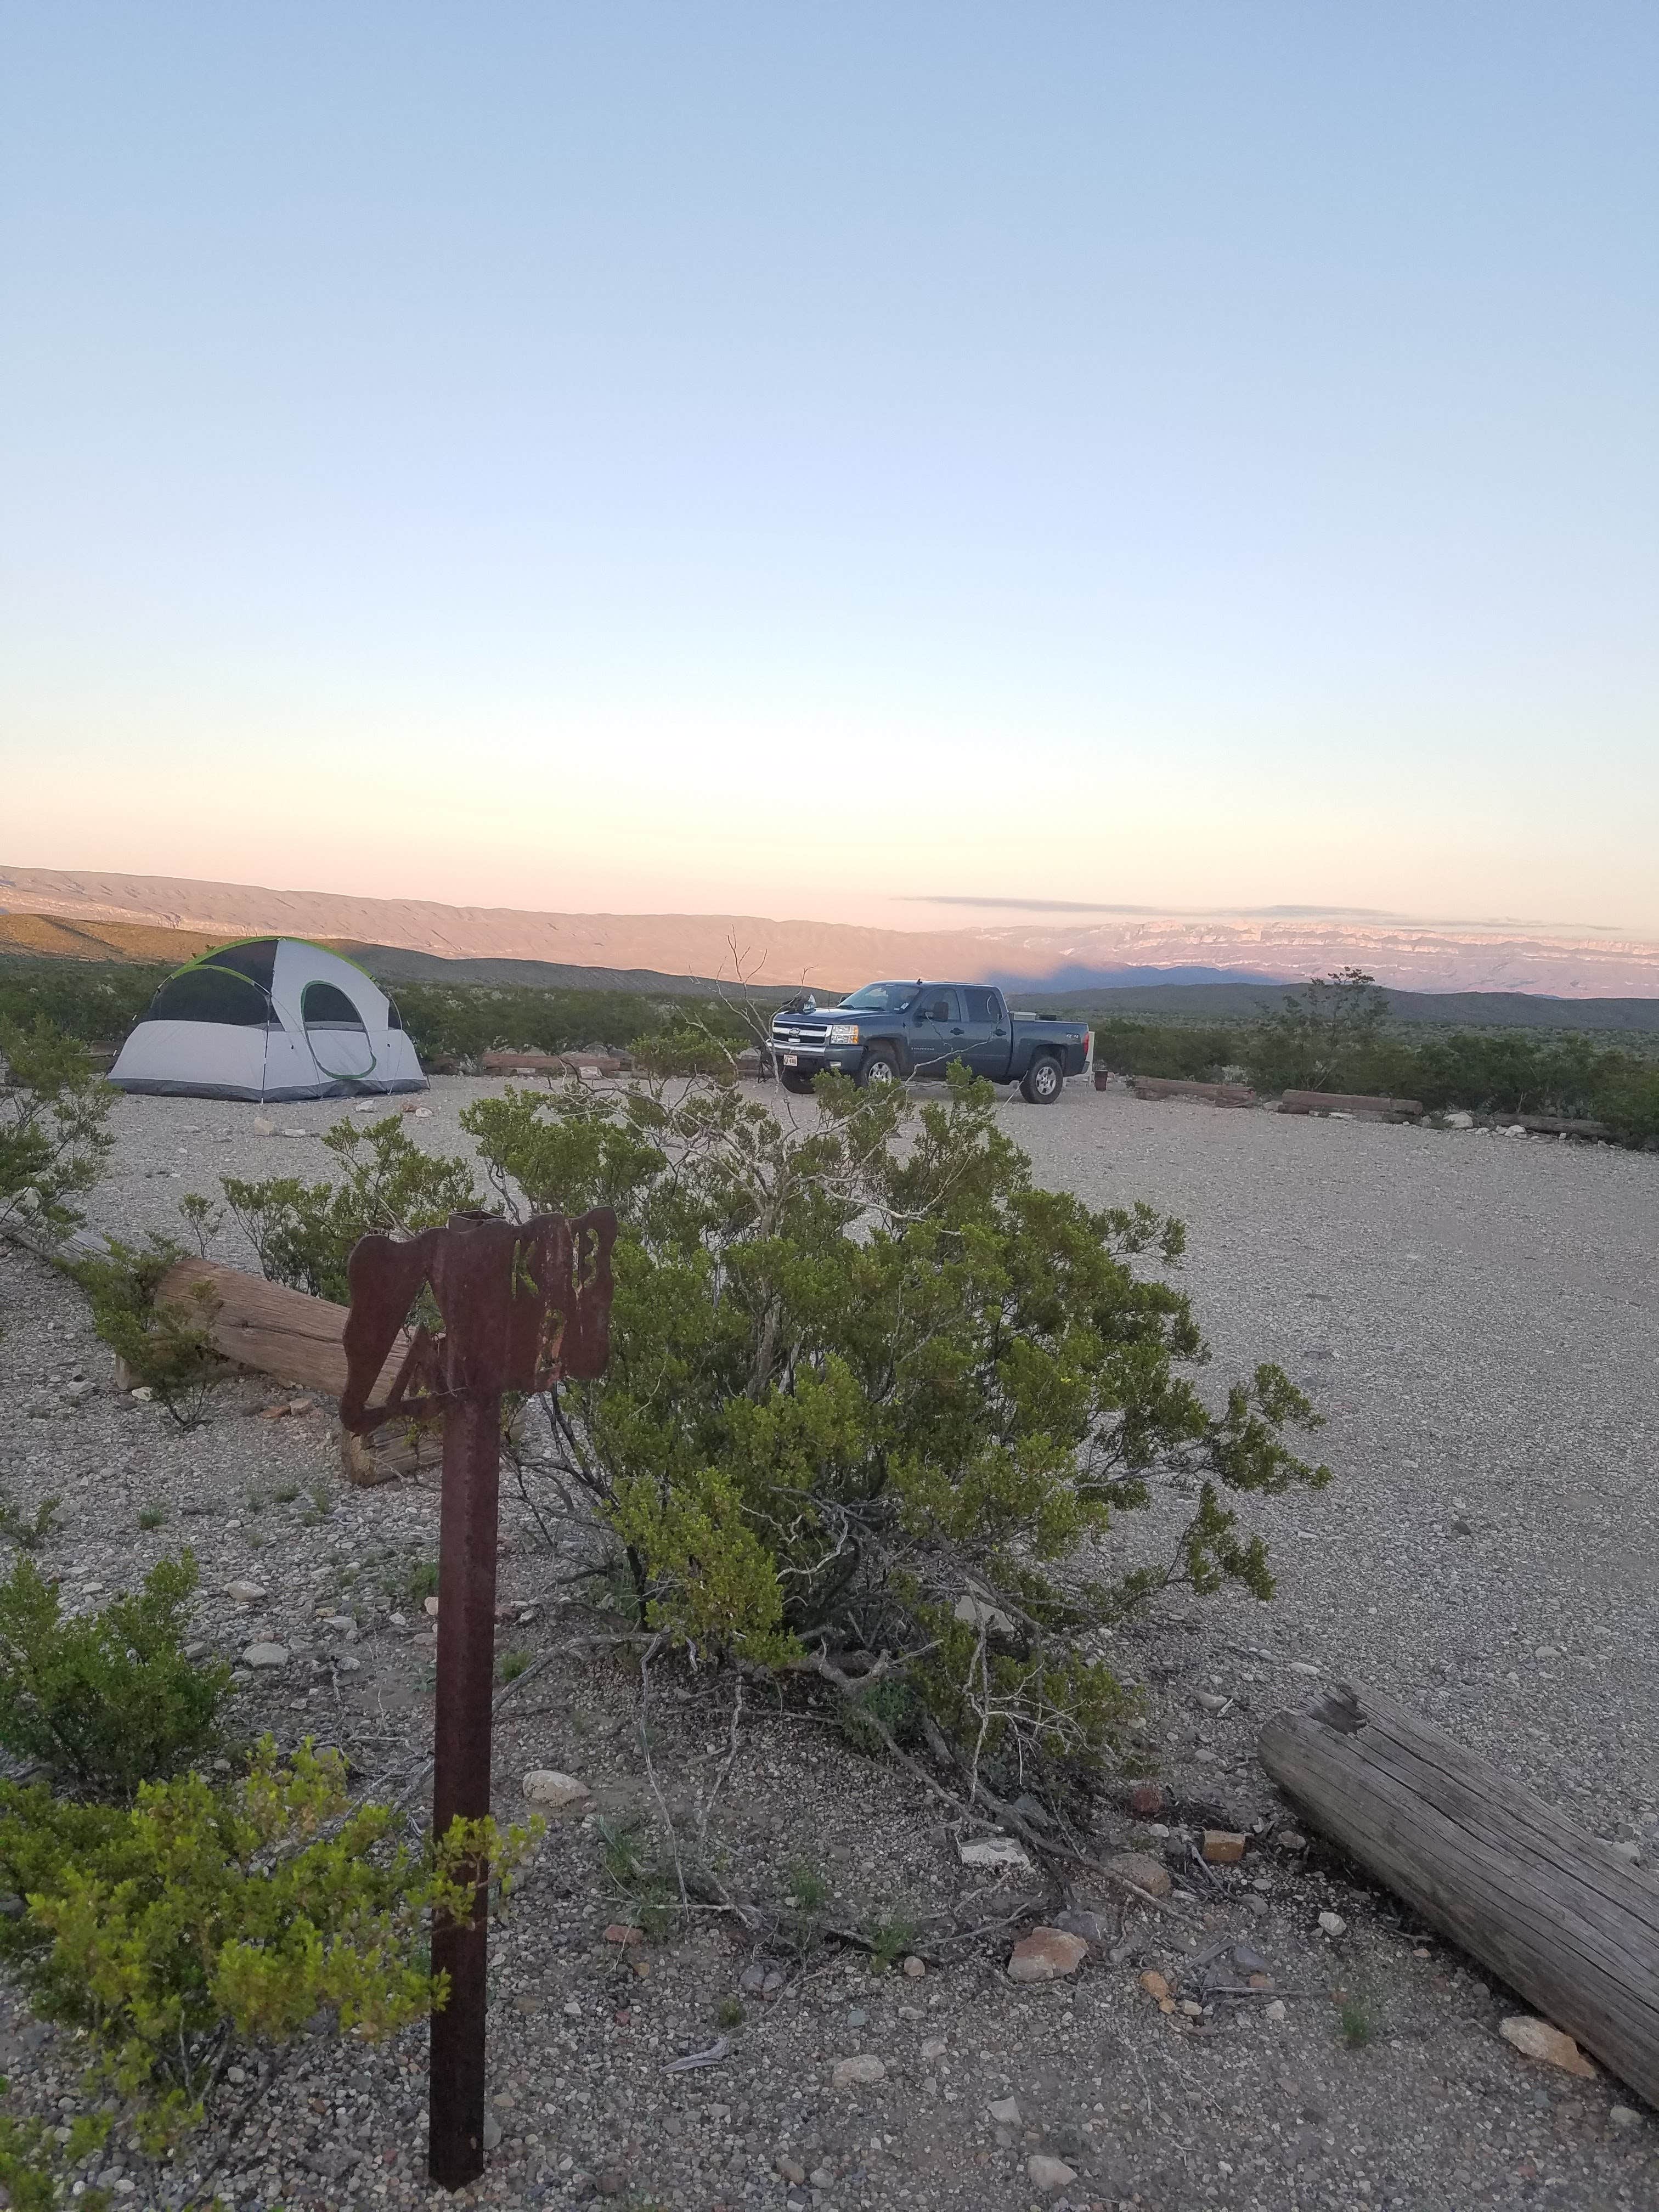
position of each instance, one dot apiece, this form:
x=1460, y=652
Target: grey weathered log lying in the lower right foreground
x=1550, y=1910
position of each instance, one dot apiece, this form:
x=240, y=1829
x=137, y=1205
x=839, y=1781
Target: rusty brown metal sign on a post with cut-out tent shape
x=523, y=1306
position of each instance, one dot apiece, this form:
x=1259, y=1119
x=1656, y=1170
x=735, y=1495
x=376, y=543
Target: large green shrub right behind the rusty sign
x=864, y=1368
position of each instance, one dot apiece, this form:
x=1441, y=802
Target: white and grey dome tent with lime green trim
x=273, y=1019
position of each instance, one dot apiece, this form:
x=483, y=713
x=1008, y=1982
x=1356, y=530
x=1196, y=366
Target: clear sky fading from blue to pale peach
x=862, y=461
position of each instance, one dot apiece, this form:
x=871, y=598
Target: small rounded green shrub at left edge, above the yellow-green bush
x=107, y=1700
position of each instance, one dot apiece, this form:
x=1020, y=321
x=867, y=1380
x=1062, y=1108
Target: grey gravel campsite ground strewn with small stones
x=1479, y=1319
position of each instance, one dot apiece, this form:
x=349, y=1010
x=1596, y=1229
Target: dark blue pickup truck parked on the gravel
x=888, y=1032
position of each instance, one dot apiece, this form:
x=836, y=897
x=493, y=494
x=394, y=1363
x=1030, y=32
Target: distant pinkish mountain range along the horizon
x=1039, y=954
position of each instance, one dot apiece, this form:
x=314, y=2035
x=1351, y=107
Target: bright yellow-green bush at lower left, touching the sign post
x=207, y=1919
